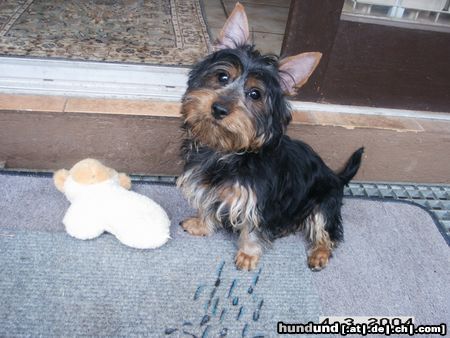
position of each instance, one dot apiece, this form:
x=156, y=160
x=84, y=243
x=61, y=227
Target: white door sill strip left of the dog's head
x=91, y=79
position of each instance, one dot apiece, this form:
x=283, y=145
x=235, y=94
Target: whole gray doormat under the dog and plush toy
x=394, y=262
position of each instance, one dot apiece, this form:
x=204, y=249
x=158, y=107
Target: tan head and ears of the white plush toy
x=87, y=172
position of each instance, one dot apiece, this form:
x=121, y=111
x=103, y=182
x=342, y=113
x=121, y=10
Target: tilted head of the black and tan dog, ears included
x=236, y=97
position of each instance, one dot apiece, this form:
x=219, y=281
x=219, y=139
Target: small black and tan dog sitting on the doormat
x=241, y=171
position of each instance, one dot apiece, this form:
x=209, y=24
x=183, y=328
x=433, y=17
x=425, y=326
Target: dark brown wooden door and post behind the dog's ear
x=369, y=64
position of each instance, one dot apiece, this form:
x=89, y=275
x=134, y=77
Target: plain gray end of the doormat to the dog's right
x=394, y=262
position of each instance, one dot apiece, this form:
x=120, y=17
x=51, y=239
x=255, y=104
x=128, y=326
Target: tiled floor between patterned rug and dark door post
x=267, y=20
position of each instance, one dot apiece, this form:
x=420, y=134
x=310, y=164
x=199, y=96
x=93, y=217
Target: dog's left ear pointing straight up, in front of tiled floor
x=235, y=32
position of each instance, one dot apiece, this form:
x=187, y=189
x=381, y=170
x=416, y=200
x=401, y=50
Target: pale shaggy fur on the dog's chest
x=228, y=201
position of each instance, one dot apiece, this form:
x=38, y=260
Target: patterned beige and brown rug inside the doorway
x=134, y=31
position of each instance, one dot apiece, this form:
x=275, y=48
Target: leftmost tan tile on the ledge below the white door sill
x=32, y=103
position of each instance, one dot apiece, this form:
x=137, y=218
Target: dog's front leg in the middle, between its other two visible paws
x=250, y=249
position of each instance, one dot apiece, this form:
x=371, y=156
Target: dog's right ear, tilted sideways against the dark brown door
x=296, y=70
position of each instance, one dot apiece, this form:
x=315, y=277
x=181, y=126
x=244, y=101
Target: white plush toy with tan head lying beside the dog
x=101, y=202
